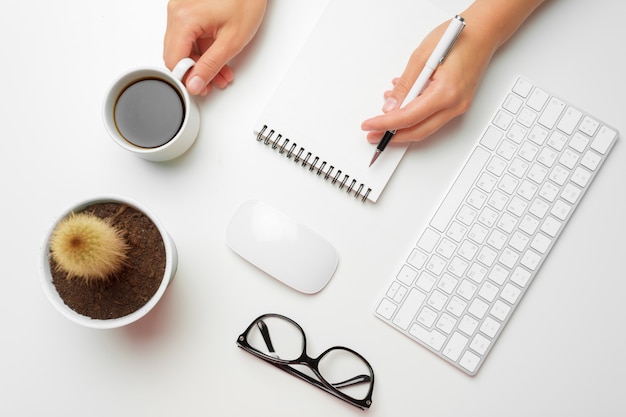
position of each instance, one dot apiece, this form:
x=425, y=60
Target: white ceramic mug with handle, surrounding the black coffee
x=148, y=111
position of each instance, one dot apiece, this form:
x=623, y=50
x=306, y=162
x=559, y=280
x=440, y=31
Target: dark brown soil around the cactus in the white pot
x=132, y=287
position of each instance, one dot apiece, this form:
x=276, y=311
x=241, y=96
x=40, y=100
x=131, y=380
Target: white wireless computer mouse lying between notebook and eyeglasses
x=282, y=247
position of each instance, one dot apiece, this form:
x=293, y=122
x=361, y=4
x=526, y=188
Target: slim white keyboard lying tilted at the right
x=481, y=249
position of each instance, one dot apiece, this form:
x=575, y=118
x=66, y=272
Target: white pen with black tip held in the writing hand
x=440, y=52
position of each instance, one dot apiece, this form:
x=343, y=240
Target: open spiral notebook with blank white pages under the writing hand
x=336, y=82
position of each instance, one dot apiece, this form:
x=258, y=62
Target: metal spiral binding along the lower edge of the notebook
x=302, y=156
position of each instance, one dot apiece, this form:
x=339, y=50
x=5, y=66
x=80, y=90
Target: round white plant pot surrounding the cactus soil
x=51, y=291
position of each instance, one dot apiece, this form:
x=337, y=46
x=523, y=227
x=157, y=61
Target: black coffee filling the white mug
x=149, y=113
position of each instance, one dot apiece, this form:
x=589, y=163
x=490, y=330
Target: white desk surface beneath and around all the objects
x=562, y=353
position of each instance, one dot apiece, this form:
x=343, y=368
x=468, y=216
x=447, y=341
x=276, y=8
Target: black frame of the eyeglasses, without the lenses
x=306, y=360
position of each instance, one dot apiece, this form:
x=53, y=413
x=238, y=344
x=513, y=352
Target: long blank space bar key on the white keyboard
x=459, y=189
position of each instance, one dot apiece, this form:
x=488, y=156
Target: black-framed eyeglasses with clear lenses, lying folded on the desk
x=339, y=371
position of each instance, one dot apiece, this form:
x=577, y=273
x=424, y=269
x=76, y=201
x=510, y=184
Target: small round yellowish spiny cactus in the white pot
x=88, y=247
